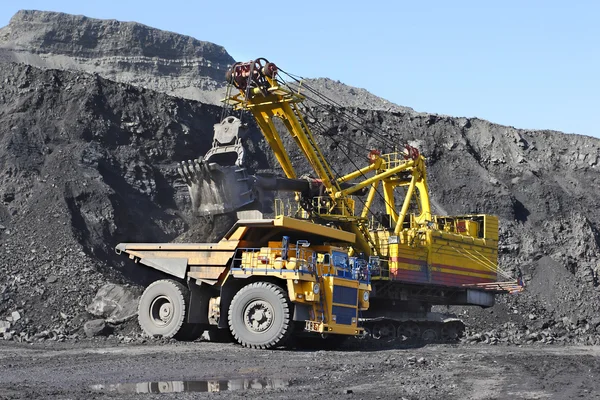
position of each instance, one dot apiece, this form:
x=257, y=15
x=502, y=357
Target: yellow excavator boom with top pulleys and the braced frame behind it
x=267, y=98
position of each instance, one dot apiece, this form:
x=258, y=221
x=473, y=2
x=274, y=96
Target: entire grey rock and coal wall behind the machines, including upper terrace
x=87, y=162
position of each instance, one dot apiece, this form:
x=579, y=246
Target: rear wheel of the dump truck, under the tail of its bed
x=162, y=310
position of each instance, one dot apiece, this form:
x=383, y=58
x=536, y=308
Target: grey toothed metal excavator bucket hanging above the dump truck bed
x=218, y=183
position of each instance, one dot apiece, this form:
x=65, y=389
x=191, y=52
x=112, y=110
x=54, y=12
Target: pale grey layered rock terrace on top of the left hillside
x=121, y=51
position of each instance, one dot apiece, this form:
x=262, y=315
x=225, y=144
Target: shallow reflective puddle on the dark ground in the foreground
x=192, y=386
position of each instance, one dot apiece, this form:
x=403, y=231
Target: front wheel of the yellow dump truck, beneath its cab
x=259, y=316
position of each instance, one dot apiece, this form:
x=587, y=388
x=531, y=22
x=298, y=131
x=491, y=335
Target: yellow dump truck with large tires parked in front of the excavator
x=263, y=291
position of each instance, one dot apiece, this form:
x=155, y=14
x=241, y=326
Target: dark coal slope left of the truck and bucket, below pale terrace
x=84, y=164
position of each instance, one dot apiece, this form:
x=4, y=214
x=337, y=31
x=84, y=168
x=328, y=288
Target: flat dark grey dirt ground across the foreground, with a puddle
x=212, y=370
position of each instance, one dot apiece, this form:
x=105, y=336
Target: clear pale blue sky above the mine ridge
x=528, y=64
